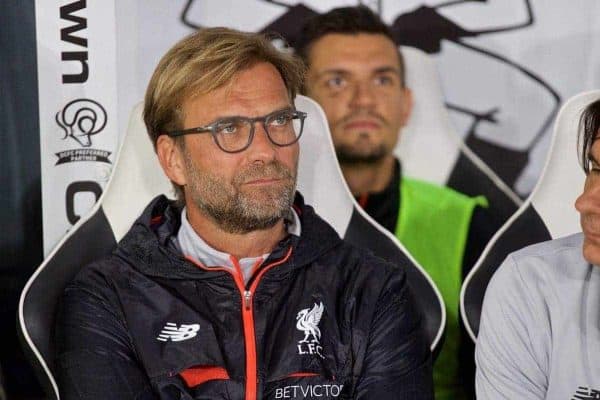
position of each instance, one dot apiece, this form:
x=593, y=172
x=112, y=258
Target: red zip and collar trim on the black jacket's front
x=248, y=317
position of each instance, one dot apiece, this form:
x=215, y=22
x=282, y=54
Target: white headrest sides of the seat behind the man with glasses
x=138, y=176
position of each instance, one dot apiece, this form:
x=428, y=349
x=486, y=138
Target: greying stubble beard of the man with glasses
x=238, y=209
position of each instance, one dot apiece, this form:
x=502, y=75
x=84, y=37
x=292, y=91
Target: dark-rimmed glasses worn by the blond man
x=235, y=134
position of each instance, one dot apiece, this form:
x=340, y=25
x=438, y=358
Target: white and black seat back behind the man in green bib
x=432, y=150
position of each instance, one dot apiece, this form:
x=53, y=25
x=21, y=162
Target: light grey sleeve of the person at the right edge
x=511, y=352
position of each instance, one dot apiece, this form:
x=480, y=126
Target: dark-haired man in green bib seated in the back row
x=356, y=73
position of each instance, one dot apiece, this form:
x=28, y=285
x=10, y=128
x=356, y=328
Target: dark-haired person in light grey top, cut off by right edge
x=539, y=336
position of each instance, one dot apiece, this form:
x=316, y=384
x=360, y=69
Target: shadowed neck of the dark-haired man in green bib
x=369, y=177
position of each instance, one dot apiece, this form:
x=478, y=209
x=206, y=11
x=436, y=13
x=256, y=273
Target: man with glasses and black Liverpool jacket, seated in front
x=236, y=290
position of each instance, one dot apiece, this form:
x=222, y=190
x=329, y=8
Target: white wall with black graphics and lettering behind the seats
x=505, y=67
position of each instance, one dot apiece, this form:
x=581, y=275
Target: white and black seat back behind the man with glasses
x=137, y=178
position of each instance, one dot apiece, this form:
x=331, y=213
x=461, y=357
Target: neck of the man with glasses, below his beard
x=239, y=245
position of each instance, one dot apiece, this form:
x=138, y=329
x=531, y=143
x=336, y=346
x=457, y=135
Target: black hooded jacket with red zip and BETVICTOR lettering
x=319, y=319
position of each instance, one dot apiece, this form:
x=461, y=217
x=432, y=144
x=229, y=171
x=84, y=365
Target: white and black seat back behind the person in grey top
x=548, y=212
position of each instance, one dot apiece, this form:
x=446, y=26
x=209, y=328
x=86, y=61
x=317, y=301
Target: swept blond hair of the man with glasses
x=203, y=62
